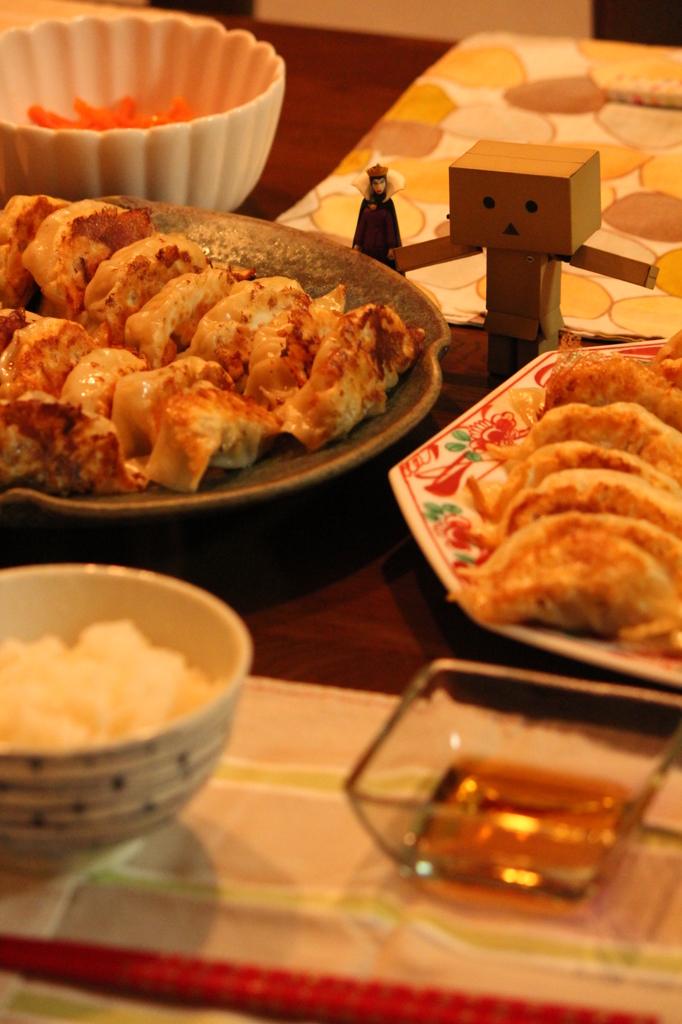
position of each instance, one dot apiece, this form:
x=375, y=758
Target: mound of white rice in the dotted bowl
x=112, y=684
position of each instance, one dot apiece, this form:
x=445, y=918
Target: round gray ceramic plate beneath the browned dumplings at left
x=319, y=266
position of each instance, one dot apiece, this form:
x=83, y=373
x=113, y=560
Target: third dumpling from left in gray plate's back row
x=132, y=277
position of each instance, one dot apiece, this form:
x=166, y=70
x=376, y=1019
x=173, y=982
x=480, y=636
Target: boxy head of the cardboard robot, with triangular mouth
x=533, y=198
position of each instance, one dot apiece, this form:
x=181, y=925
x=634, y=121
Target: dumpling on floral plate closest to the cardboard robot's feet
x=603, y=378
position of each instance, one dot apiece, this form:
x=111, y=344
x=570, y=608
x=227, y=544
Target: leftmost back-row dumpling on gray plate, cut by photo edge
x=20, y=222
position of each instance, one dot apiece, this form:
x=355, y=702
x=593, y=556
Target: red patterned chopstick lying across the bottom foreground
x=279, y=994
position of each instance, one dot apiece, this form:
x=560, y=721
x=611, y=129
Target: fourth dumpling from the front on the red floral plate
x=624, y=425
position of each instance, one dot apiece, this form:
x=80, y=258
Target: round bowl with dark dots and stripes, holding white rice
x=57, y=803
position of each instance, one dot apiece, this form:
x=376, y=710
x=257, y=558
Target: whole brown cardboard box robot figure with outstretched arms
x=533, y=207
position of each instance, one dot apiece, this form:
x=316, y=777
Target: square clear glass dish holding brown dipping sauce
x=518, y=782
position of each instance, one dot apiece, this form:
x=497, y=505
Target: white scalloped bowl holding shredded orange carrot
x=234, y=84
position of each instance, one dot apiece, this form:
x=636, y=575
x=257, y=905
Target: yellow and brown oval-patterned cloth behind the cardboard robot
x=549, y=92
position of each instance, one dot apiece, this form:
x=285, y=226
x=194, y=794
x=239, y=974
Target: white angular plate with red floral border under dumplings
x=431, y=488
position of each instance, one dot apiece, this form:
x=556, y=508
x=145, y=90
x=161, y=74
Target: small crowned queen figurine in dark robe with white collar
x=378, y=233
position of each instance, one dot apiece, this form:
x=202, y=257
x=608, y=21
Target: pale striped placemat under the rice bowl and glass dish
x=269, y=866
